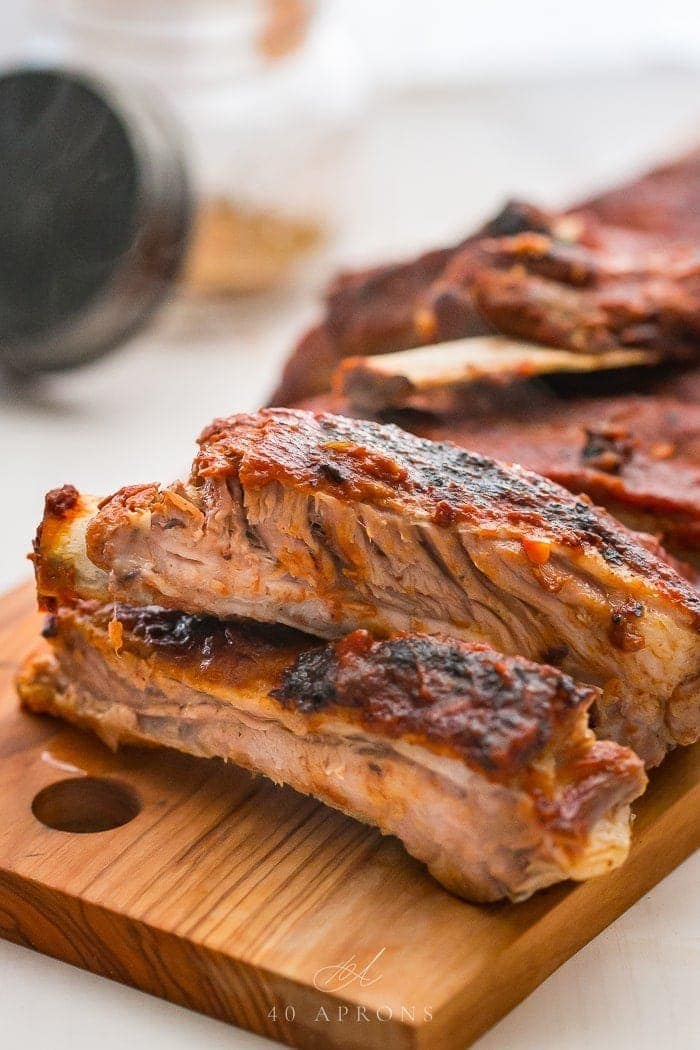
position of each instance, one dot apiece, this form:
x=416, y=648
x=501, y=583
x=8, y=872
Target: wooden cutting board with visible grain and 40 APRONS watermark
x=265, y=909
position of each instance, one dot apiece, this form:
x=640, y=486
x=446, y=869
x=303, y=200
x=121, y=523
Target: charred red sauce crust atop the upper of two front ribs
x=357, y=460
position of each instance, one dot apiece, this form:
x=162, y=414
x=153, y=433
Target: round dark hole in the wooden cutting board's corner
x=87, y=805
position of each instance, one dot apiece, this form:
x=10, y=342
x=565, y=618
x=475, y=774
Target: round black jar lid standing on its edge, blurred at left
x=95, y=215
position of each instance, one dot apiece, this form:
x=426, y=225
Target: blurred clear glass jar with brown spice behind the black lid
x=267, y=93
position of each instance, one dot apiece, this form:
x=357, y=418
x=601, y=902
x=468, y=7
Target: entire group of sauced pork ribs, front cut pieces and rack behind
x=456, y=650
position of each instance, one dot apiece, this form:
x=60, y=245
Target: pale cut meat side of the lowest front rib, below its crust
x=504, y=853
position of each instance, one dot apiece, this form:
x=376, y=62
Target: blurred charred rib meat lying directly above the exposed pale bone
x=575, y=283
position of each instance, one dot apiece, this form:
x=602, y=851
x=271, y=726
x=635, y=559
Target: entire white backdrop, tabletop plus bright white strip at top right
x=427, y=164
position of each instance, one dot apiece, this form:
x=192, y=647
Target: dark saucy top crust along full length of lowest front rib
x=496, y=713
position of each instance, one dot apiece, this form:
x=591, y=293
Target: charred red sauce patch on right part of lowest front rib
x=497, y=712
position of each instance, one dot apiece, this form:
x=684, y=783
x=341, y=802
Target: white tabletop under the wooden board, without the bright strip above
x=423, y=169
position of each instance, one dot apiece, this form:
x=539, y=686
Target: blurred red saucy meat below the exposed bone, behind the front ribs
x=638, y=455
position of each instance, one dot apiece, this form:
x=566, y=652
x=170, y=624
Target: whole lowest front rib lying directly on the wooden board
x=483, y=766
